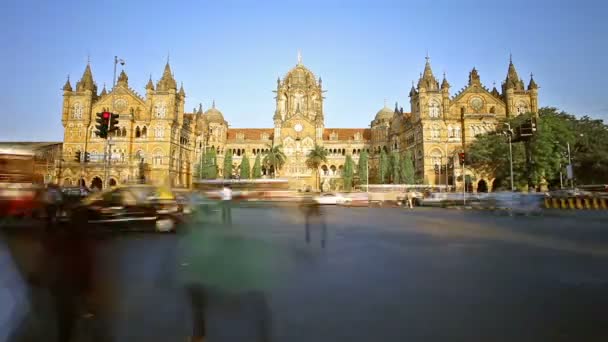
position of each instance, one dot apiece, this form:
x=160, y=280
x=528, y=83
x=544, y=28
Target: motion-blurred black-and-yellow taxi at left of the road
x=136, y=207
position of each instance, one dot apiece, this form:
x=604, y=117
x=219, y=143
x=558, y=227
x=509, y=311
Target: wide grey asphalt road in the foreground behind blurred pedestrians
x=384, y=274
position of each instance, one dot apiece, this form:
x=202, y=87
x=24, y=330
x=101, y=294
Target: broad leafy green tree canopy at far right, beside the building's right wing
x=587, y=138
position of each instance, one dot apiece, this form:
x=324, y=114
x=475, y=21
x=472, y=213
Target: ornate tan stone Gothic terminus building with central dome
x=161, y=142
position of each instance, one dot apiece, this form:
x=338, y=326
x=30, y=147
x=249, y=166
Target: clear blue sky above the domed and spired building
x=233, y=51
